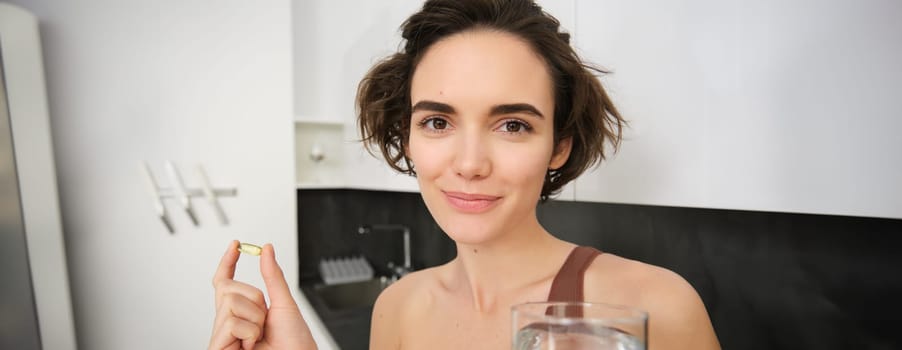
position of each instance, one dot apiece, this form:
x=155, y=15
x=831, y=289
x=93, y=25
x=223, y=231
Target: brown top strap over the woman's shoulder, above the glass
x=568, y=284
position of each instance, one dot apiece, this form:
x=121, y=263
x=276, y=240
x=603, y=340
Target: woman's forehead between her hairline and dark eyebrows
x=483, y=67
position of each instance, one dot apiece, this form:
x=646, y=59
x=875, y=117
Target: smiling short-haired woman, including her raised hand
x=492, y=111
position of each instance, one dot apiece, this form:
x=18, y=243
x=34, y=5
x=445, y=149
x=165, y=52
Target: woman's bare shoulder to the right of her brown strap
x=677, y=316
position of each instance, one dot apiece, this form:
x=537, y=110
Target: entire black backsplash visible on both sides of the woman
x=769, y=280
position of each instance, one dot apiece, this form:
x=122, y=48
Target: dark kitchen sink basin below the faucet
x=352, y=295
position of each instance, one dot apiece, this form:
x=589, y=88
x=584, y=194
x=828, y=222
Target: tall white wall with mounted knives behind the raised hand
x=193, y=82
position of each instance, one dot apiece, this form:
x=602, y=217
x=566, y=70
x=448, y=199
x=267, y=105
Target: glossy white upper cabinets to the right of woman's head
x=765, y=105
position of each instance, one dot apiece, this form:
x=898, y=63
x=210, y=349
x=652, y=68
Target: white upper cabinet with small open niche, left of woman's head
x=334, y=48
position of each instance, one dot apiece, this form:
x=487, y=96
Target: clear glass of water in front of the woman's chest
x=578, y=325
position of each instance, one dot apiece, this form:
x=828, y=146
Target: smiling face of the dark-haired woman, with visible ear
x=481, y=137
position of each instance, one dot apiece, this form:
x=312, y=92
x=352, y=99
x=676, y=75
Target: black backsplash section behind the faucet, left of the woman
x=328, y=222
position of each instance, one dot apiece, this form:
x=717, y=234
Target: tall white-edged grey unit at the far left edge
x=35, y=296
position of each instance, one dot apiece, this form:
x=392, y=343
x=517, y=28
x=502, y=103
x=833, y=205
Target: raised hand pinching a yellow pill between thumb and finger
x=243, y=320
